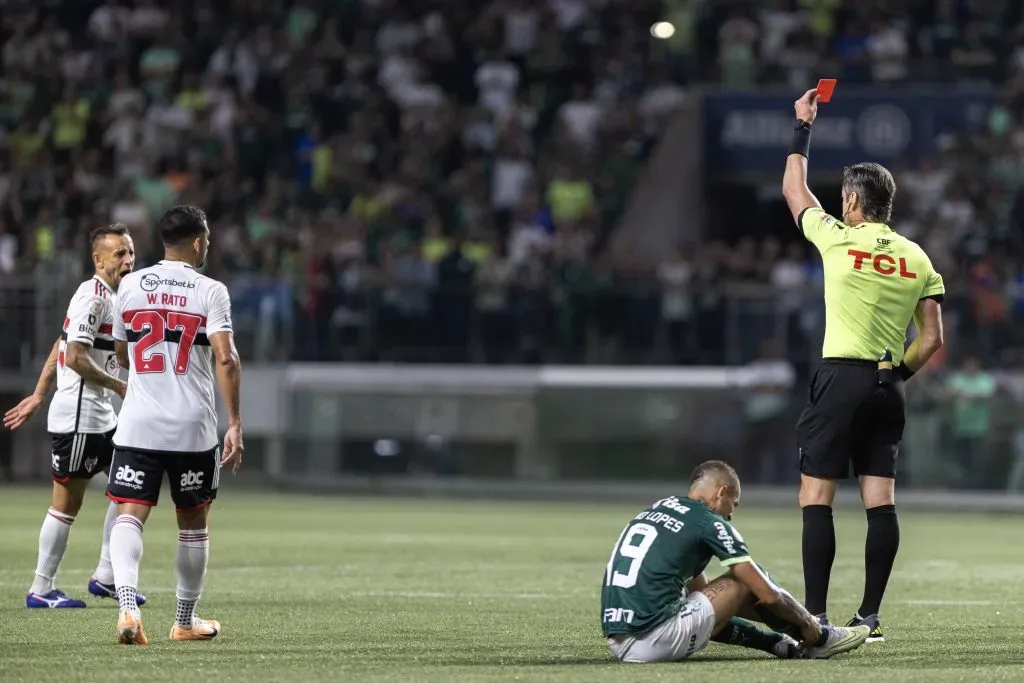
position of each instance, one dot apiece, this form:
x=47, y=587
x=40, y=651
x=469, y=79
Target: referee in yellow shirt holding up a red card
x=876, y=282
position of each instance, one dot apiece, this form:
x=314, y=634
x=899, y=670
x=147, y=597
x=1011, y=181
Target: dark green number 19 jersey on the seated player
x=658, y=553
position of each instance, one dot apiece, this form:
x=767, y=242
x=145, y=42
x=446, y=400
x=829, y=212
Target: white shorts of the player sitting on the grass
x=688, y=632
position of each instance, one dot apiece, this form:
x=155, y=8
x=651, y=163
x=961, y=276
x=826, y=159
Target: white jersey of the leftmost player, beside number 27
x=78, y=407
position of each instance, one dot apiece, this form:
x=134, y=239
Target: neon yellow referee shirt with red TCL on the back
x=874, y=280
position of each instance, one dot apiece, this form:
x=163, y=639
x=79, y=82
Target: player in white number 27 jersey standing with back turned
x=174, y=330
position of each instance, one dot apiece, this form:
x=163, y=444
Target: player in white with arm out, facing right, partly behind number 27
x=81, y=416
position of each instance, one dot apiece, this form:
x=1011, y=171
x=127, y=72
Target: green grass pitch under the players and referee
x=320, y=589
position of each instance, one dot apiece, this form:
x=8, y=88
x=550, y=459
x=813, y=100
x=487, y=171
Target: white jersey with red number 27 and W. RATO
x=166, y=314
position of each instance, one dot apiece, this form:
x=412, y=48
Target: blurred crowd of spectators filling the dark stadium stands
x=439, y=181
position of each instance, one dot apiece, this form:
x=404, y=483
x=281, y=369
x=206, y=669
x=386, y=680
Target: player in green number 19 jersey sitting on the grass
x=657, y=606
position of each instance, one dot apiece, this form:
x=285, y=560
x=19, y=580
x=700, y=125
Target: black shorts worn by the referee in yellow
x=851, y=419
